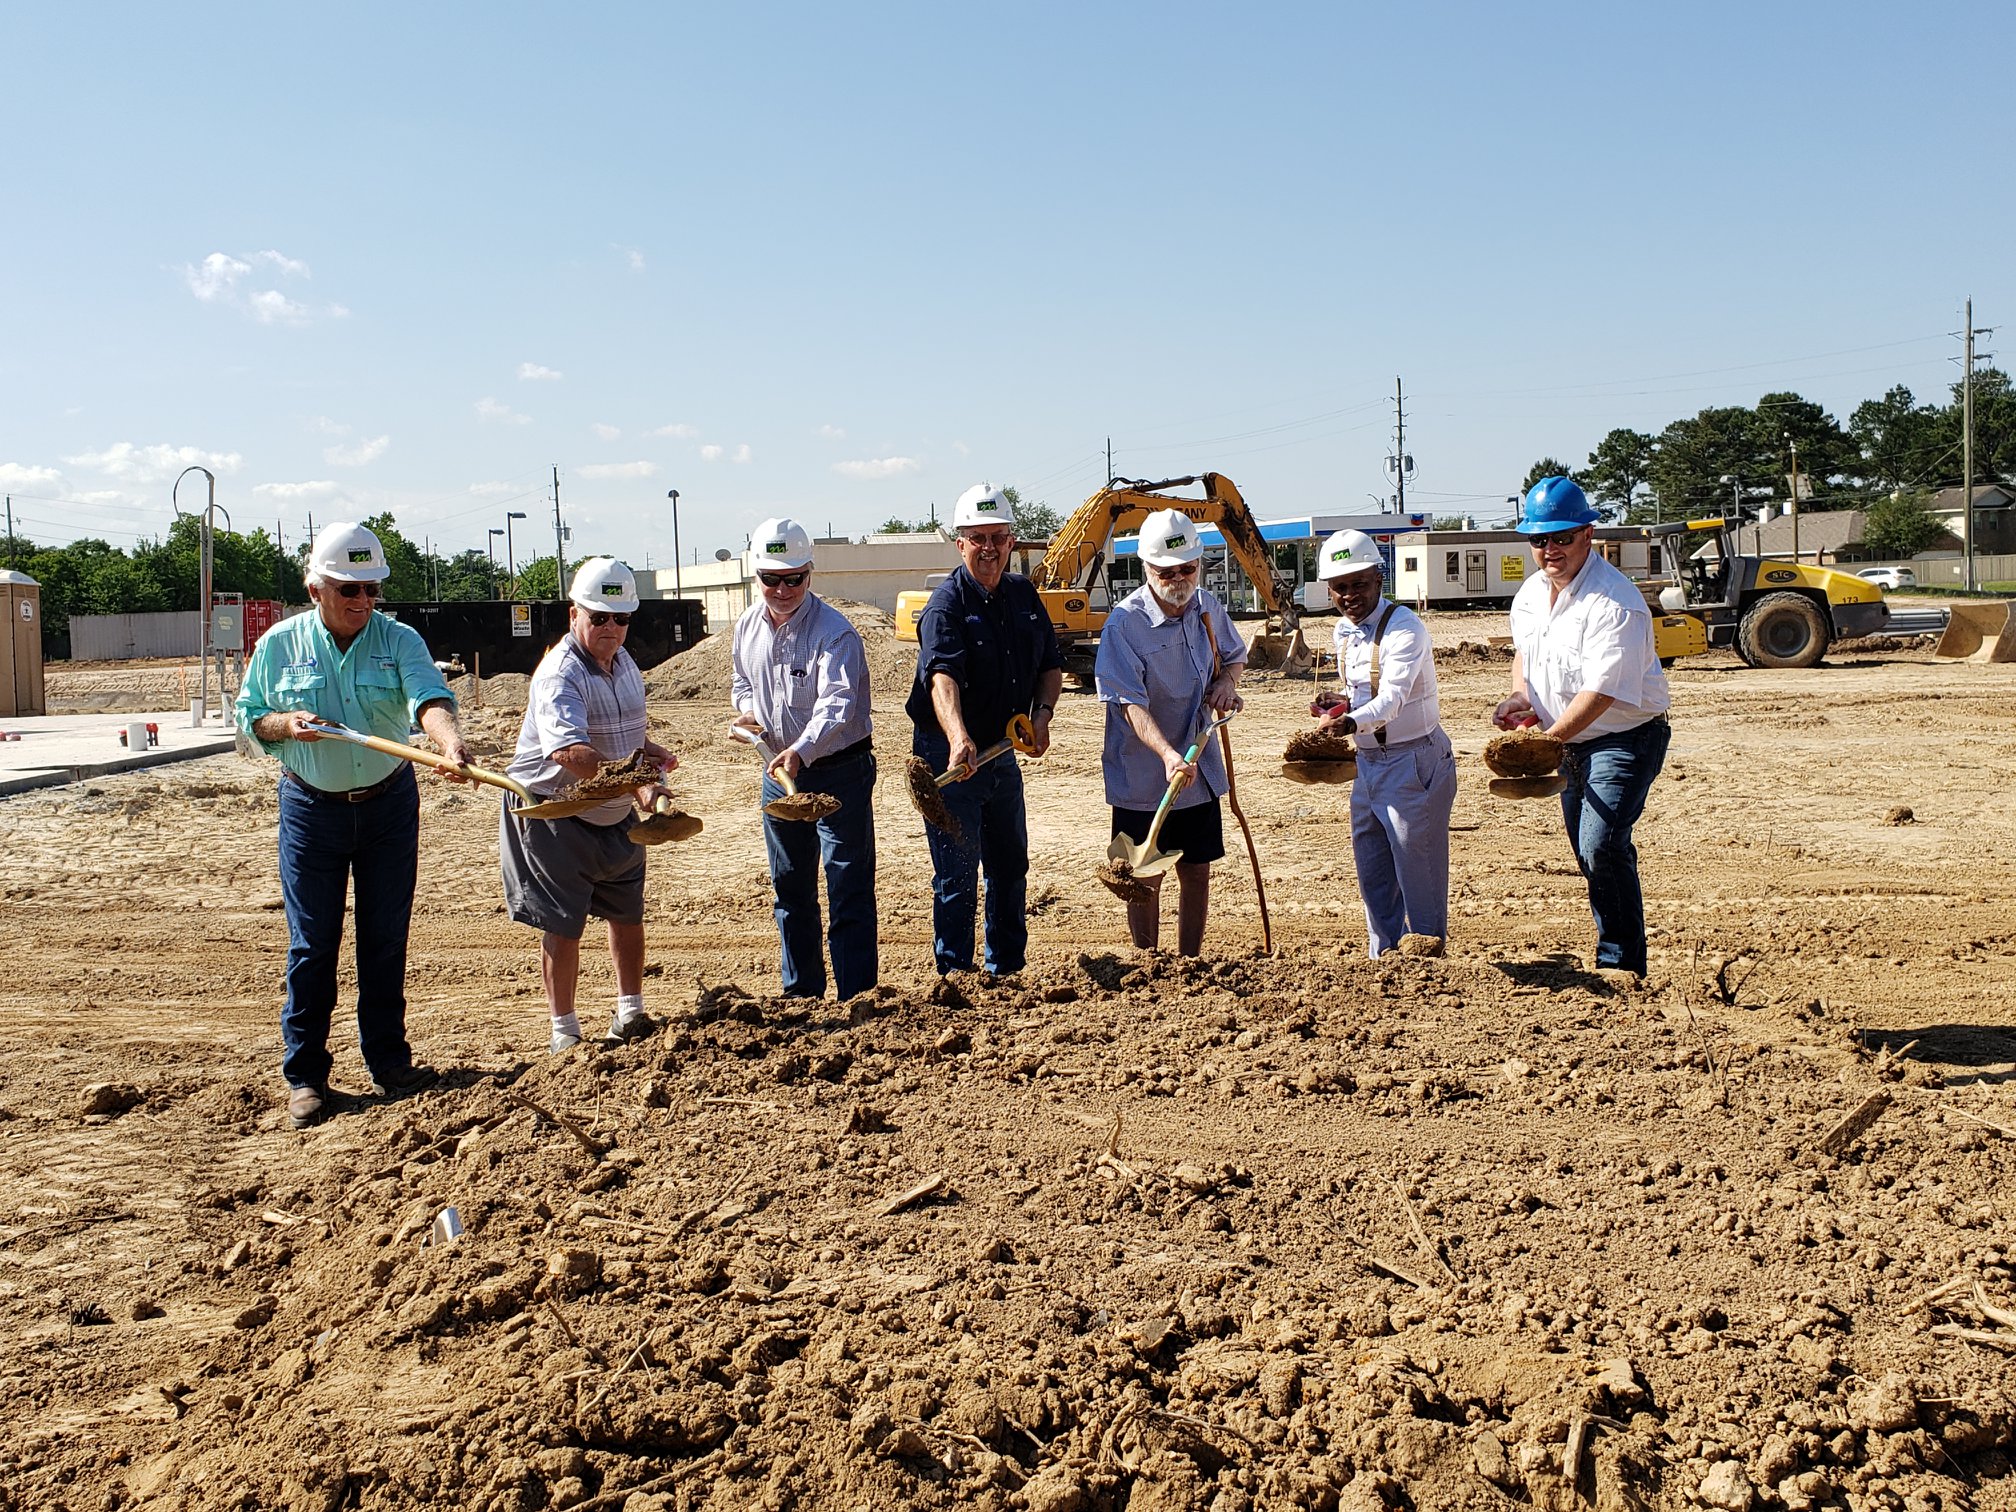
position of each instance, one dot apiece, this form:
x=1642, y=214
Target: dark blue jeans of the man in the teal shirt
x=324, y=846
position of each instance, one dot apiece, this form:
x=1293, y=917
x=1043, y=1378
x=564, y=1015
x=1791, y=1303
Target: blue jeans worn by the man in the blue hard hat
x=1608, y=785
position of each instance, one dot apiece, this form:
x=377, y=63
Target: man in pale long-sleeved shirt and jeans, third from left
x=801, y=682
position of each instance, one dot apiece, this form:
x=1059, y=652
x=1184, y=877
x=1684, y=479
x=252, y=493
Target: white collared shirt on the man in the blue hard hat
x=1594, y=636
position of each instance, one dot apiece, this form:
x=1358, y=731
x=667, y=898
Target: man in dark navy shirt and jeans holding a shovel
x=985, y=654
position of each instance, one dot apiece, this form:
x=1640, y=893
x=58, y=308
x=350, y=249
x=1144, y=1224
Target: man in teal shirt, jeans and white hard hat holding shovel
x=346, y=811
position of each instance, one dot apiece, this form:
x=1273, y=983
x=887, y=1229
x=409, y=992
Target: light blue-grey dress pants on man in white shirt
x=1400, y=836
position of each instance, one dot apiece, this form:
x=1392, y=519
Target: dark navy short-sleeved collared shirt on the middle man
x=995, y=646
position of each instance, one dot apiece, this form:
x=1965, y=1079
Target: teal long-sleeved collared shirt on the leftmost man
x=376, y=686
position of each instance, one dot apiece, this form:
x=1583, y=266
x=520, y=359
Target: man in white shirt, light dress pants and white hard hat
x=1406, y=785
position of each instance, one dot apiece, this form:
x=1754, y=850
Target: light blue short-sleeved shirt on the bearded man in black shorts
x=1160, y=664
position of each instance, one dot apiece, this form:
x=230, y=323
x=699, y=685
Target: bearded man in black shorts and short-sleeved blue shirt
x=1162, y=682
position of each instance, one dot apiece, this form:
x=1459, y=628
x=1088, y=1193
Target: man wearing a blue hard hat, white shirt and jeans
x=1588, y=672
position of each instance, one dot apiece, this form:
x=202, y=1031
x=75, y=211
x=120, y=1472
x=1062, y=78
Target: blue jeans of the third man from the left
x=844, y=844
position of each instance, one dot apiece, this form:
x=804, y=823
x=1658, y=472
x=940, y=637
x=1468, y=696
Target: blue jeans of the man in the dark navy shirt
x=995, y=842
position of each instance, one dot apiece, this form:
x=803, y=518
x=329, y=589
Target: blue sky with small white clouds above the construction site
x=842, y=263
